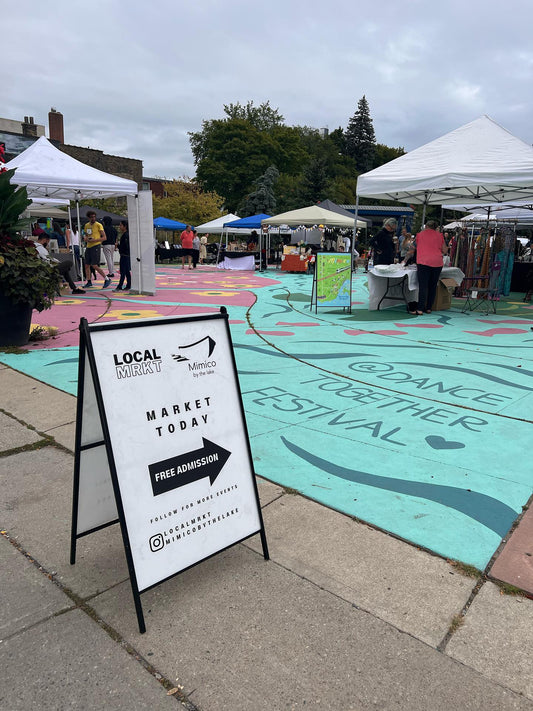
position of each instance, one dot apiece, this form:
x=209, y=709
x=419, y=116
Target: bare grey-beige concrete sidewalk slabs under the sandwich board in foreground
x=342, y=617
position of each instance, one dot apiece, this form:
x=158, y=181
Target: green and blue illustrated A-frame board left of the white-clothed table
x=332, y=284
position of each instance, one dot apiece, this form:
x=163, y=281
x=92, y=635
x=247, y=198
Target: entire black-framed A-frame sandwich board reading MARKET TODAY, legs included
x=162, y=446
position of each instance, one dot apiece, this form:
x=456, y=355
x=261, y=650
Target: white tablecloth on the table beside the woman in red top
x=377, y=285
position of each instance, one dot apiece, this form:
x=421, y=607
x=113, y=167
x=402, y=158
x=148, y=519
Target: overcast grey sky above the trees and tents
x=132, y=78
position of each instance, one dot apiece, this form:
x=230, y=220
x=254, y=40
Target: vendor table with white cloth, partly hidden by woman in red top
x=391, y=284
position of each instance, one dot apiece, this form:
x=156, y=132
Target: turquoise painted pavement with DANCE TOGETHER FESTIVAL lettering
x=415, y=425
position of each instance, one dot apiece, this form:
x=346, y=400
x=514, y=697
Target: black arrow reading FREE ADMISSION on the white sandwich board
x=178, y=471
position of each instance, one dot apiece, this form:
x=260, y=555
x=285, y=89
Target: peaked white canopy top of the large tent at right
x=480, y=162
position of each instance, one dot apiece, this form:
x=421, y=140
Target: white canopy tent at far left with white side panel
x=47, y=172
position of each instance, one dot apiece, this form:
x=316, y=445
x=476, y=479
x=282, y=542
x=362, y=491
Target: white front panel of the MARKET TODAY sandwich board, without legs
x=178, y=437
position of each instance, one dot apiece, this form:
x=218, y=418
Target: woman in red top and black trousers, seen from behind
x=430, y=247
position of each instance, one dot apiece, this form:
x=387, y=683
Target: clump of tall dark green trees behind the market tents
x=230, y=153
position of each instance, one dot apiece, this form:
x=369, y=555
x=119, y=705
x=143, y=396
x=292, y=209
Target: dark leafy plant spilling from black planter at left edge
x=25, y=278
